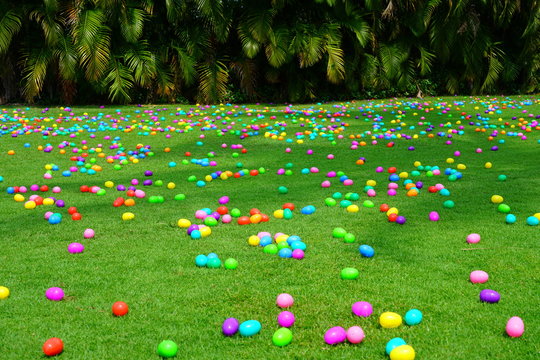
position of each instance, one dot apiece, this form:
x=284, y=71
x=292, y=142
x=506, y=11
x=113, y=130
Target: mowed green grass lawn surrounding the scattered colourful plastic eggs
x=149, y=262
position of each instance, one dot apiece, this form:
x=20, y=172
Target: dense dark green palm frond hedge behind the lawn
x=238, y=50
